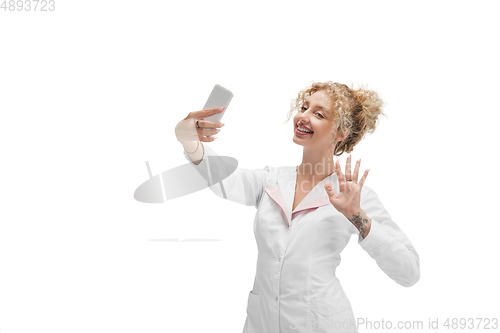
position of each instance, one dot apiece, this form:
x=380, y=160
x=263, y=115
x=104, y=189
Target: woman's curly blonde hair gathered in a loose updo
x=354, y=109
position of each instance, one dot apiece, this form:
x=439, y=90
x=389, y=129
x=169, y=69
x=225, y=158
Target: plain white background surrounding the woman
x=91, y=91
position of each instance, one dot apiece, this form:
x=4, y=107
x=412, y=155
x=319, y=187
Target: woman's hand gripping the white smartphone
x=195, y=128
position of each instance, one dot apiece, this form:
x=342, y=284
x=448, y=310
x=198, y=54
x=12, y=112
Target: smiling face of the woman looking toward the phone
x=316, y=115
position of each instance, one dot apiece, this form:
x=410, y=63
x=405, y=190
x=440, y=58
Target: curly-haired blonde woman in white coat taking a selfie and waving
x=307, y=214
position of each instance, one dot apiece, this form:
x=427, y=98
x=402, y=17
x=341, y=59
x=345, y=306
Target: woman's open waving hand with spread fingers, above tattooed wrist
x=347, y=201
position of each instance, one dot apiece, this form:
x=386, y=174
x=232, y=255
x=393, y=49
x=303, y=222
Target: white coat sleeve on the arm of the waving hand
x=387, y=243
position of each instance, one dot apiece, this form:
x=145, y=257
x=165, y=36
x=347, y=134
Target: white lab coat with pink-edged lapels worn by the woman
x=296, y=289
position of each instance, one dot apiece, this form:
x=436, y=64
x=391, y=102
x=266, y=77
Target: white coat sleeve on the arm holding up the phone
x=243, y=186
